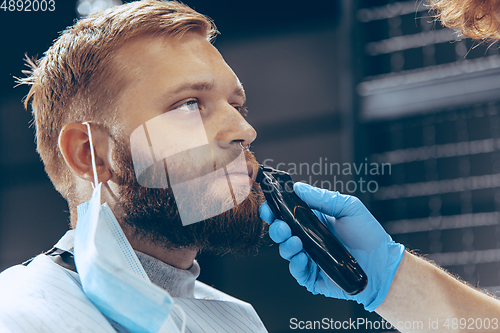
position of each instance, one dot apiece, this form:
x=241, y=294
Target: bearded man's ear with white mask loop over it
x=74, y=144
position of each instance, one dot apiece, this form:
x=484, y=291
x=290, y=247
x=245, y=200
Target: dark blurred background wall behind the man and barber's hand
x=321, y=86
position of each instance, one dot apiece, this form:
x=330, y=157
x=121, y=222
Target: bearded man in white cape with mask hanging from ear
x=135, y=108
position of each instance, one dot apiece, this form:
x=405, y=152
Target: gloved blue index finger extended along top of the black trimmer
x=330, y=203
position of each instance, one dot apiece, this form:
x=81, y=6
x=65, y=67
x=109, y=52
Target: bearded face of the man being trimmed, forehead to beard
x=188, y=102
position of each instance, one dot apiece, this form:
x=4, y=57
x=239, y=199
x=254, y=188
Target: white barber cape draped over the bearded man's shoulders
x=45, y=297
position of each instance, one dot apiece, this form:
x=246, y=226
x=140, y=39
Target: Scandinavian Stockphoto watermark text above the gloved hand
x=361, y=176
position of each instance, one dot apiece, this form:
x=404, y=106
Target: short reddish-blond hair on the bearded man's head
x=78, y=80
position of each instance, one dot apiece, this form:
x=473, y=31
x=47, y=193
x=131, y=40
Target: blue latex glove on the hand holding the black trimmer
x=356, y=228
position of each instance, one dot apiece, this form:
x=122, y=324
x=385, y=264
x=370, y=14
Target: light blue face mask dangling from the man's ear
x=110, y=272
